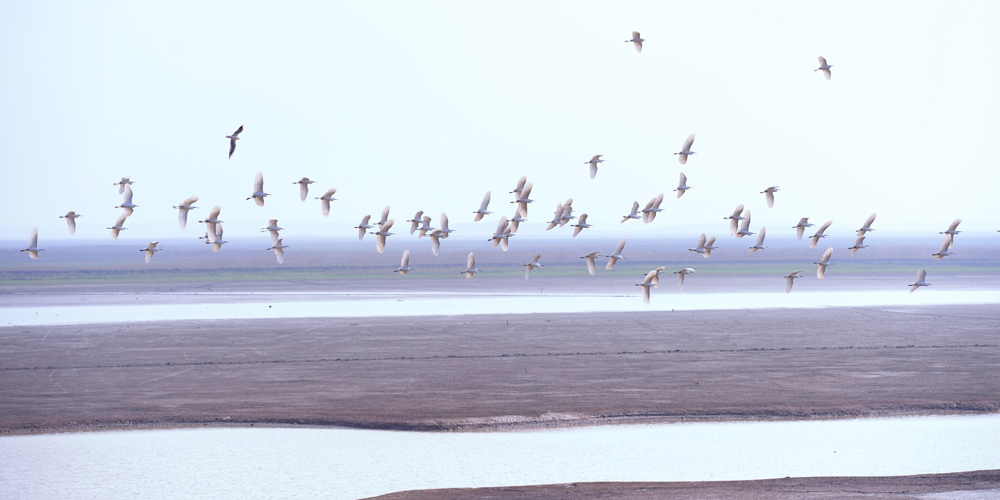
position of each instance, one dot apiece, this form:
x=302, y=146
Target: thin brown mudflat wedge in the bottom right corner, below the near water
x=980, y=485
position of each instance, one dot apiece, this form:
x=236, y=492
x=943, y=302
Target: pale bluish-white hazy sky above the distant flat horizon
x=427, y=105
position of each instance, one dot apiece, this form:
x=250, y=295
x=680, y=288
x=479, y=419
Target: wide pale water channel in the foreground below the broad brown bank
x=350, y=463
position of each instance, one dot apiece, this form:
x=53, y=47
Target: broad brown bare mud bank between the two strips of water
x=502, y=371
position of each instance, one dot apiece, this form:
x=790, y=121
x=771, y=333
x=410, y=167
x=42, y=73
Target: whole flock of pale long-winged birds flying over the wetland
x=739, y=222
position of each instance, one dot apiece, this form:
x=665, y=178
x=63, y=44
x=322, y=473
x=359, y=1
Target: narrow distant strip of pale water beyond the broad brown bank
x=207, y=306
